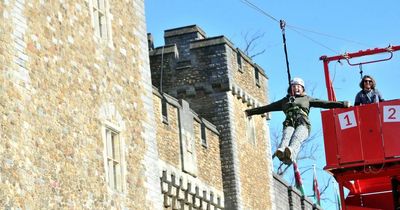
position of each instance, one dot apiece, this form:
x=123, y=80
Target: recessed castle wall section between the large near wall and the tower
x=201, y=189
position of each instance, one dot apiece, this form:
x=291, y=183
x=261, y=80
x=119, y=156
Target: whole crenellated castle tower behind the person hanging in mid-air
x=220, y=82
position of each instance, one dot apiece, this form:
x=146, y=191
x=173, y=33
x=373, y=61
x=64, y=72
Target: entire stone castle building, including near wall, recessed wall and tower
x=85, y=124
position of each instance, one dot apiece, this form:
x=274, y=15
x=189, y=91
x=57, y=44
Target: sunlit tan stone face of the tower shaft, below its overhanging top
x=249, y=152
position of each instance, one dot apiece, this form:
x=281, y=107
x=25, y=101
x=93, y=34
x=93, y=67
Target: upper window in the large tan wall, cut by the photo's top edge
x=101, y=19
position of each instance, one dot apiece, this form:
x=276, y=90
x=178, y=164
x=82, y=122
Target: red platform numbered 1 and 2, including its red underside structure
x=362, y=148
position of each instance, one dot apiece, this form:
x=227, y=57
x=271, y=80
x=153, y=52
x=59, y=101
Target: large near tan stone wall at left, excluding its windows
x=60, y=86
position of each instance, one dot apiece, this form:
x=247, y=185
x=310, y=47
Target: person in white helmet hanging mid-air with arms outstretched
x=296, y=127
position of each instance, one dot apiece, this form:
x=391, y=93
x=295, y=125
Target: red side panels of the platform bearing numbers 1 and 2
x=362, y=135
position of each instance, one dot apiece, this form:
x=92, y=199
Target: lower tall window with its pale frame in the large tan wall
x=114, y=158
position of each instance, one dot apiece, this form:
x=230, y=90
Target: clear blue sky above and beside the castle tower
x=357, y=25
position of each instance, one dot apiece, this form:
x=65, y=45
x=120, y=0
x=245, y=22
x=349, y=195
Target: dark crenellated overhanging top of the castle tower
x=194, y=65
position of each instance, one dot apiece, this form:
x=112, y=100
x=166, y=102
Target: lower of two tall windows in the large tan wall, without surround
x=114, y=156
